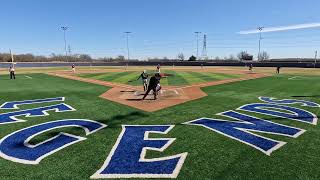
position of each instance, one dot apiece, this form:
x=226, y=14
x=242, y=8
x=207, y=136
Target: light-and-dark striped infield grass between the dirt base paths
x=176, y=78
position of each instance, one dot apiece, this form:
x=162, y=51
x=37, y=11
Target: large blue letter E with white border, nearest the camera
x=127, y=157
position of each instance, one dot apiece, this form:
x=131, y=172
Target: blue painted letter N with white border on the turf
x=243, y=130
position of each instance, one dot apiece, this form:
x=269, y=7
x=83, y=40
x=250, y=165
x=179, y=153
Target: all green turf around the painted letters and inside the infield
x=210, y=155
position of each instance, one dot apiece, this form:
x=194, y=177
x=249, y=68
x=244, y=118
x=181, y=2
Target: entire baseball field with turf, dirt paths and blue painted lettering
x=208, y=123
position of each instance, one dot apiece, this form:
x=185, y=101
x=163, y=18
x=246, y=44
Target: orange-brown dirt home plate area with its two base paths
x=168, y=96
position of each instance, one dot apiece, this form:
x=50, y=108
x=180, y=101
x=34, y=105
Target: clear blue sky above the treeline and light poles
x=159, y=27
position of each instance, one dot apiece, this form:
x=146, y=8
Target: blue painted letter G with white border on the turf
x=16, y=147
